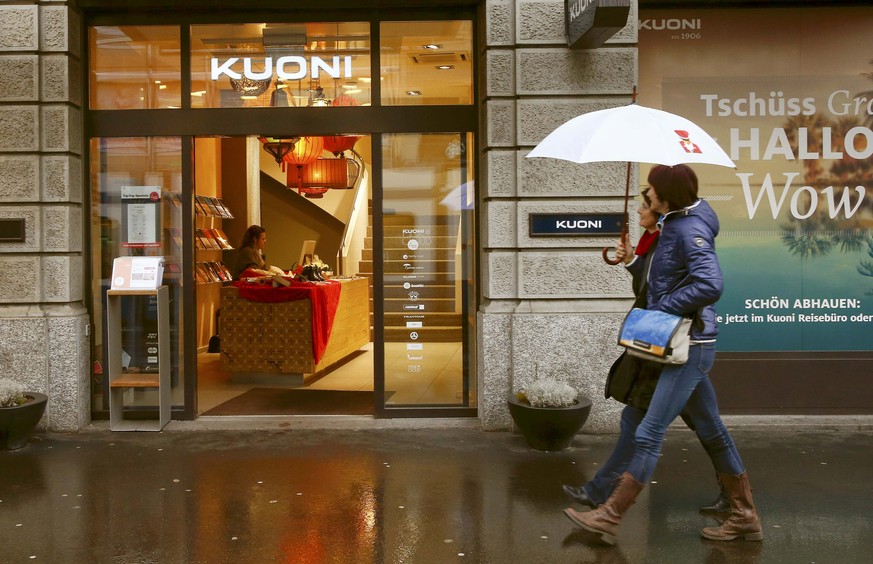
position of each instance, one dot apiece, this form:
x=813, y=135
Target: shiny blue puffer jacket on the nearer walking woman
x=685, y=276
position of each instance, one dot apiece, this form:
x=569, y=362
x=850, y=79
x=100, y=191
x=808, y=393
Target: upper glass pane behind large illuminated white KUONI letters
x=280, y=65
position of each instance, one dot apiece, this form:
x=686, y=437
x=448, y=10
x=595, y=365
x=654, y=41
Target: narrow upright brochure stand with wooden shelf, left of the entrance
x=120, y=382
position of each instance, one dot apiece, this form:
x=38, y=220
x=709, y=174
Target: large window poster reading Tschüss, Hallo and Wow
x=788, y=93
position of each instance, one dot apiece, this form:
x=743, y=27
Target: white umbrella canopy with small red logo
x=632, y=133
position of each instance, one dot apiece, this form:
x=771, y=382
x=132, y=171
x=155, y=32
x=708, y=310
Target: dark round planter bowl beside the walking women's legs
x=549, y=428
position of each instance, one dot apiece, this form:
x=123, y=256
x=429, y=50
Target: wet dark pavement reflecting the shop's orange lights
x=432, y=495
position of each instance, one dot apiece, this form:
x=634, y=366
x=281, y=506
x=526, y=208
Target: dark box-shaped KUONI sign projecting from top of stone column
x=591, y=22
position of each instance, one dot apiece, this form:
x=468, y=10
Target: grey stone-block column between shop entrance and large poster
x=551, y=305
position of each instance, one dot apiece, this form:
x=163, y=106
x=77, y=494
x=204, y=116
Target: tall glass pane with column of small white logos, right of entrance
x=427, y=206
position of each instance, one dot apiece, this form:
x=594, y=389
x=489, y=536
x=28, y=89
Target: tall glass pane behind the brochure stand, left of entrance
x=121, y=170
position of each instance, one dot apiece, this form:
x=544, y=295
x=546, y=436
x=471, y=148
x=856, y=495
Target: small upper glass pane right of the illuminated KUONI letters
x=427, y=63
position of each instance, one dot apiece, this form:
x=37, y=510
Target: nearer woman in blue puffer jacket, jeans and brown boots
x=684, y=279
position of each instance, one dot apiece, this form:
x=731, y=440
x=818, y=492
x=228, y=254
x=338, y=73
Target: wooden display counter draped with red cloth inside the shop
x=283, y=337
